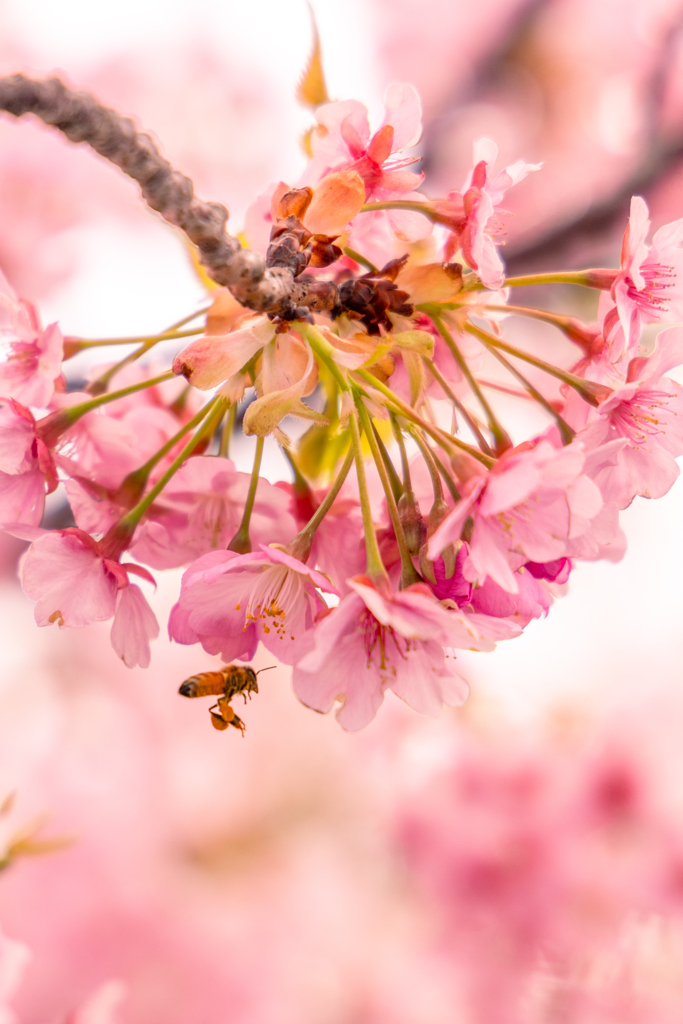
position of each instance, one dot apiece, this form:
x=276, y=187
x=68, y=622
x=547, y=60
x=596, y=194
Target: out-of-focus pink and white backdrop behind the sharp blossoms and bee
x=520, y=860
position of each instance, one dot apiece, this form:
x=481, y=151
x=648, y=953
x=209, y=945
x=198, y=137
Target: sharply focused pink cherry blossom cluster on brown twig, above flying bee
x=412, y=527
